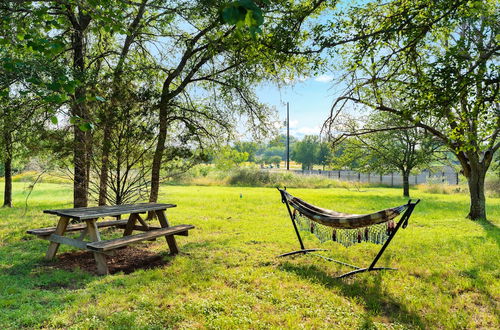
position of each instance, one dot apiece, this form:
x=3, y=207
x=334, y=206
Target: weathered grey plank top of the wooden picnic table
x=84, y=213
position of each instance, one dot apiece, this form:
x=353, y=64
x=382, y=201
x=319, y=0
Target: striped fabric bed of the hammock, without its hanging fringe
x=341, y=220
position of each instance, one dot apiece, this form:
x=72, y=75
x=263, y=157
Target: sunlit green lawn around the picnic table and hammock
x=228, y=276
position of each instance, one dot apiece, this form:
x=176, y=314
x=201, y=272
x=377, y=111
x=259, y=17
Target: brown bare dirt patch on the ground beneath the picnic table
x=126, y=260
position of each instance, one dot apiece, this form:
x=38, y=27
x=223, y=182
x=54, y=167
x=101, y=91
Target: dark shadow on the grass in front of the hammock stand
x=377, y=302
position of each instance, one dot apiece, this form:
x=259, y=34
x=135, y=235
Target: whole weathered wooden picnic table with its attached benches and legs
x=89, y=226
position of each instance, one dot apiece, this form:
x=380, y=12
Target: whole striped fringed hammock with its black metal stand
x=344, y=228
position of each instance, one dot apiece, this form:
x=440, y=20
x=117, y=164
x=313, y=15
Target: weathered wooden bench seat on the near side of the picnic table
x=126, y=240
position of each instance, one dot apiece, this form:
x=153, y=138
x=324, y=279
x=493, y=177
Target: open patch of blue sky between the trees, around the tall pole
x=310, y=102
